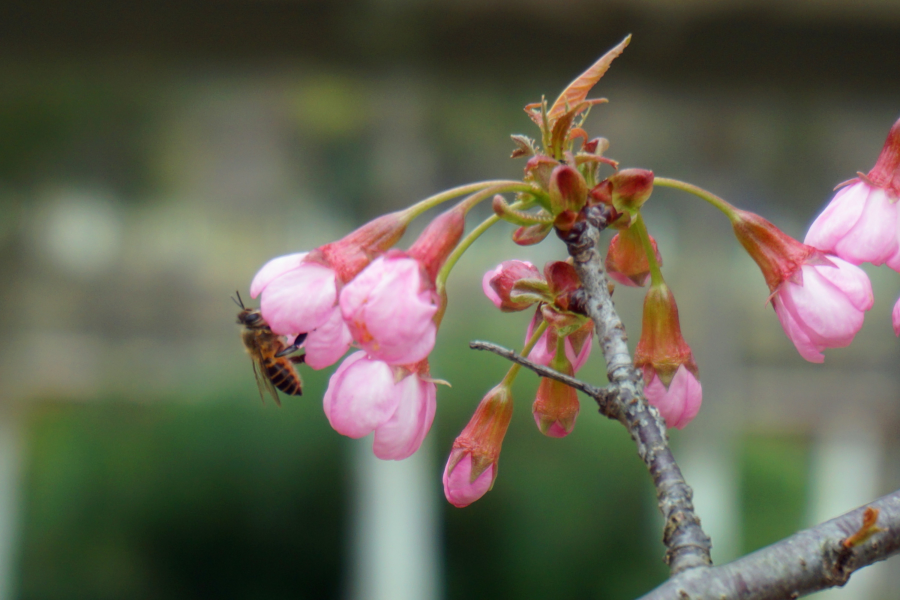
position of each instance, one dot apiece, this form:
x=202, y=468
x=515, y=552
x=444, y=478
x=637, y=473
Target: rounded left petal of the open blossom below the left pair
x=360, y=396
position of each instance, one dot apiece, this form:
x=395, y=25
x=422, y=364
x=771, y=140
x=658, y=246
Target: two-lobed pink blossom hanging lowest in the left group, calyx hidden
x=364, y=395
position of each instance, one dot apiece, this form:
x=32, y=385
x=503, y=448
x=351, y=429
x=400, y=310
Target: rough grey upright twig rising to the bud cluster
x=687, y=545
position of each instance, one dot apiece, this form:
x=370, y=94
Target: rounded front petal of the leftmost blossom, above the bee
x=299, y=300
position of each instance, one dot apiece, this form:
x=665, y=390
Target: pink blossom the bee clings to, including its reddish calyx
x=299, y=291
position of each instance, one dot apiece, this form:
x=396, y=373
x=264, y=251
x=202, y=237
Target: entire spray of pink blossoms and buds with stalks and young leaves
x=388, y=303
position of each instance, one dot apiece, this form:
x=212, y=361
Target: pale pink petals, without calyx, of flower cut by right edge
x=858, y=225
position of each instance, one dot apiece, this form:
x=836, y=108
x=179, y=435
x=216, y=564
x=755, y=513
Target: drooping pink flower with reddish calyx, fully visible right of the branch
x=820, y=300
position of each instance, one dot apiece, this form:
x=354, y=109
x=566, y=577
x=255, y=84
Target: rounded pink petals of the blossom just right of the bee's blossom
x=390, y=308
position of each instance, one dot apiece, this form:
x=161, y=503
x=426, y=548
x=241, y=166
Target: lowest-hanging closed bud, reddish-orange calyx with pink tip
x=472, y=466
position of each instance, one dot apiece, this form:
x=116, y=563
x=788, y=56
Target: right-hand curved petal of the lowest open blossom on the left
x=402, y=434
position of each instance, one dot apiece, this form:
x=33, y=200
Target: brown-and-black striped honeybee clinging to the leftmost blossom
x=271, y=365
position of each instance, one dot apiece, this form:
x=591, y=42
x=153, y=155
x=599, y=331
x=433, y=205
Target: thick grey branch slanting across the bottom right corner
x=806, y=562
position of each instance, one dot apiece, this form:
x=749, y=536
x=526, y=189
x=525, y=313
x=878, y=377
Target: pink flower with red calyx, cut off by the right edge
x=860, y=224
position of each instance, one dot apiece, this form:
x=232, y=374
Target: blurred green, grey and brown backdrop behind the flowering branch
x=154, y=156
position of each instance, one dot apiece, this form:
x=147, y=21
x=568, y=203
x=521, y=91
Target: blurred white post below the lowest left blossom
x=395, y=553
